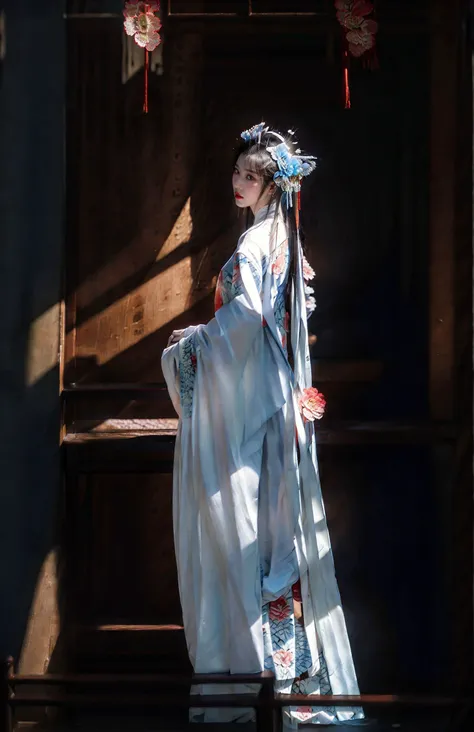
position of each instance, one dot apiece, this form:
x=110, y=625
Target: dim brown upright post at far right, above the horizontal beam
x=444, y=22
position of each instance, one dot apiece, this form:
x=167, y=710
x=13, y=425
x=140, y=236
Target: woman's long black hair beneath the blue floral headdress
x=259, y=161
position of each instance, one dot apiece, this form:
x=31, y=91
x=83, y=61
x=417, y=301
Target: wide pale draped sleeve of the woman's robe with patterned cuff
x=227, y=360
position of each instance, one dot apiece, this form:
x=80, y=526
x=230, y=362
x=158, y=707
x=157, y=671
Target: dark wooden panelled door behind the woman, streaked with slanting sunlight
x=150, y=222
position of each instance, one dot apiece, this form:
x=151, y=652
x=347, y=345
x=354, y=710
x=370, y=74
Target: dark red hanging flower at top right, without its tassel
x=359, y=29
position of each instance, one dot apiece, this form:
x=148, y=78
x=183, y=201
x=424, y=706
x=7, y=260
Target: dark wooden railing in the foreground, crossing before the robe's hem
x=116, y=692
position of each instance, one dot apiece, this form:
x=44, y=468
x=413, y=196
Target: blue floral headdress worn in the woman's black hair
x=292, y=167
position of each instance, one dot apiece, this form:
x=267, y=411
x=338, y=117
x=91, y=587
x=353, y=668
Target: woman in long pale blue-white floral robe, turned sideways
x=255, y=568
